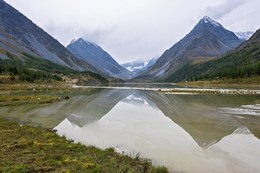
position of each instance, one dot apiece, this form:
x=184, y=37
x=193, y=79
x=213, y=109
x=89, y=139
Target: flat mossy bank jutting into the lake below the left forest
x=21, y=94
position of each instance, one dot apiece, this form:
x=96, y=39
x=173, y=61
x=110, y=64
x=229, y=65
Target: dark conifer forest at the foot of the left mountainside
x=33, y=69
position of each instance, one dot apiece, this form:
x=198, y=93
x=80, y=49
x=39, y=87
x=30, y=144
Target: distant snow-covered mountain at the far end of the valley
x=138, y=66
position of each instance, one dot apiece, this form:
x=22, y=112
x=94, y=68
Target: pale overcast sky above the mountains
x=135, y=29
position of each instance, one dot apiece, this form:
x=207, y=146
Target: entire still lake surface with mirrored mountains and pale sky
x=186, y=133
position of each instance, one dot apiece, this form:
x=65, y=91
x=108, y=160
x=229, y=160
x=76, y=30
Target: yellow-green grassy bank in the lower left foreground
x=30, y=149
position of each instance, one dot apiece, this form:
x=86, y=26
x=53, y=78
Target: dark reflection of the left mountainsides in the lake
x=80, y=109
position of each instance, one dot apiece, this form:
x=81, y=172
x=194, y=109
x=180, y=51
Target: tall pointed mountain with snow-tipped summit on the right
x=207, y=40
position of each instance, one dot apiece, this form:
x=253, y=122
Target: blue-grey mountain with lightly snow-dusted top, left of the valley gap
x=96, y=56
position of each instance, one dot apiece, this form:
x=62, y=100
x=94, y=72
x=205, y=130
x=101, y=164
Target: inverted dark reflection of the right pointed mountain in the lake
x=201, y=117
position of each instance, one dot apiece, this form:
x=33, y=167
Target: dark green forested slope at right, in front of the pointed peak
x=242, y=62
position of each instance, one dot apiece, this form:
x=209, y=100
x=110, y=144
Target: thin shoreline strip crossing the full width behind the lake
x=179, y=89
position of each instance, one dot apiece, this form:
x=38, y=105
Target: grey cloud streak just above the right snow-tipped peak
x=219, y=11
